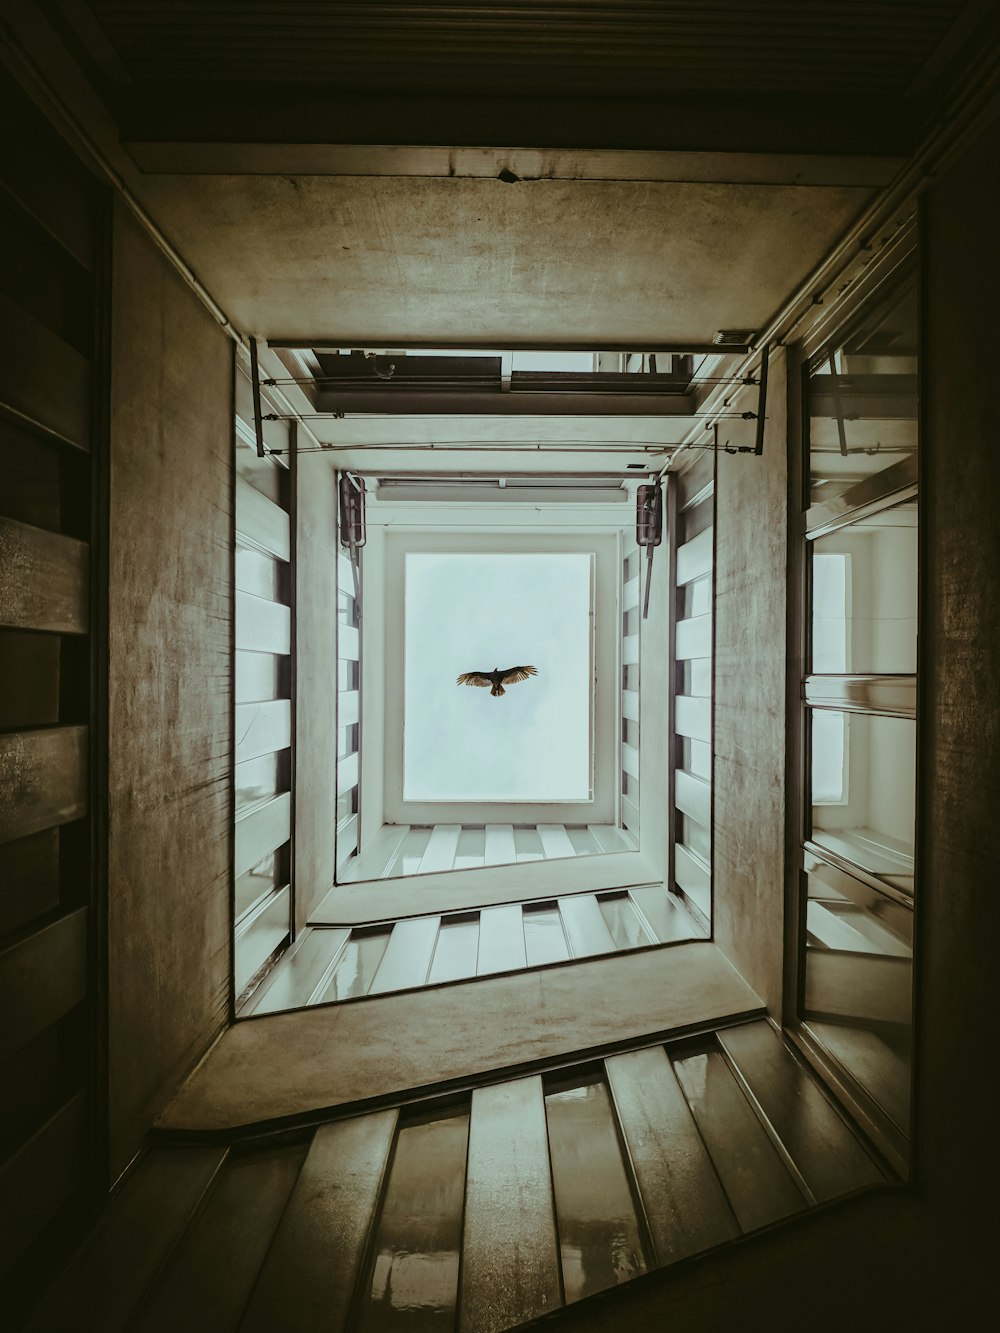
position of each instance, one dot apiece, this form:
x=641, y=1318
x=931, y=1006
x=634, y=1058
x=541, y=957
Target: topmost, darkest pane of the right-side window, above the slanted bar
x=863, y=401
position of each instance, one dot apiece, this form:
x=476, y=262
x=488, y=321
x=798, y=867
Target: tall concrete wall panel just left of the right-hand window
x=750, y=696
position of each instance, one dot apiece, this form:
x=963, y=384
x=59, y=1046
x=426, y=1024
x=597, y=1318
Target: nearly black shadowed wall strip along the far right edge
x=959, y=907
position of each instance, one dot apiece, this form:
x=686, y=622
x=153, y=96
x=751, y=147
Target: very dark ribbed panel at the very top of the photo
x=599, y=47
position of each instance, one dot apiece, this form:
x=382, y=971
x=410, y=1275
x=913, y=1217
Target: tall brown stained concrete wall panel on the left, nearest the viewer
x=170, y=684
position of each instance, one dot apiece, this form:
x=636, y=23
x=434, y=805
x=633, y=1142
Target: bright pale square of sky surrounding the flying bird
x=478, y=613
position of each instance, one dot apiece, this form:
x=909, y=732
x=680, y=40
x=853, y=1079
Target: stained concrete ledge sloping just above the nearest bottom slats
x=311, y=1059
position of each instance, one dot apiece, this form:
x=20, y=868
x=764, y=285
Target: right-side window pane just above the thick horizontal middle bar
x=865, y=590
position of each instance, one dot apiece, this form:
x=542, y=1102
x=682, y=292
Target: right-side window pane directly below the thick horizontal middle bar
x=869, y=818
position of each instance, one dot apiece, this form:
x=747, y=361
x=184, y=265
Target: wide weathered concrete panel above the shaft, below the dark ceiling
x=367, y=259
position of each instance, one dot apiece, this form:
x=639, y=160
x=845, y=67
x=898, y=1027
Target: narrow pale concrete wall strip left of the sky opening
x=317, y=680
